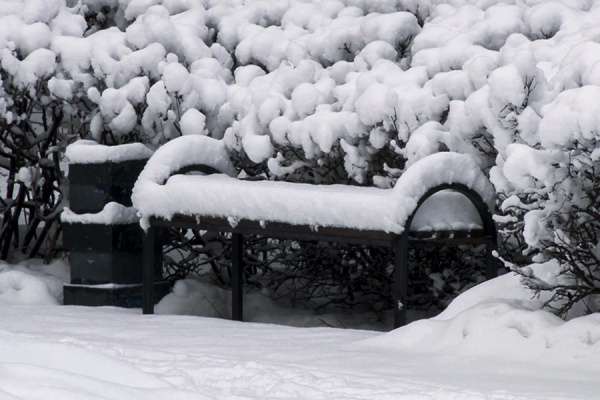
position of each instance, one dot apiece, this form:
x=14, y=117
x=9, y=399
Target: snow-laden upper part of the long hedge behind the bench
x=339, y=91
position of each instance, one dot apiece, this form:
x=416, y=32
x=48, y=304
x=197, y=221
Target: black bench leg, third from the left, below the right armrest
x=400, y=280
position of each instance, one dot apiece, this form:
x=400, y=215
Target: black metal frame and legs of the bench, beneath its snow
x=399, y=243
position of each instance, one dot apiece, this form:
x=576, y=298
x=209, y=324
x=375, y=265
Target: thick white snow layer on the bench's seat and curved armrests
x=158, y=194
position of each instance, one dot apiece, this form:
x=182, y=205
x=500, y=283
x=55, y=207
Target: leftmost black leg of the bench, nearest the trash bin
x=152, y=262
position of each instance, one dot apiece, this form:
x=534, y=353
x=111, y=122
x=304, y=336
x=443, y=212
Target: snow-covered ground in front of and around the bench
x=491, y=343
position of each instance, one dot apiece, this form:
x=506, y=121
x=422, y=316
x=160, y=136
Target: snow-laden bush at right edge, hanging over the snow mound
x=552, y=192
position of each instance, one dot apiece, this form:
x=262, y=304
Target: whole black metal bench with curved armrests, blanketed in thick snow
x=444, y=196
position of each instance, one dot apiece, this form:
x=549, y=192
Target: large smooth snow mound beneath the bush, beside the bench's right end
x=499, y=318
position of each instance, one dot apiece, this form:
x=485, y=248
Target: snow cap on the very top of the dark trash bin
x=90, y=152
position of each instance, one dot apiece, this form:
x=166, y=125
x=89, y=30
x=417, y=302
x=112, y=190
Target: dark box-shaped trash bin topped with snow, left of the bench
x=105, y=255
